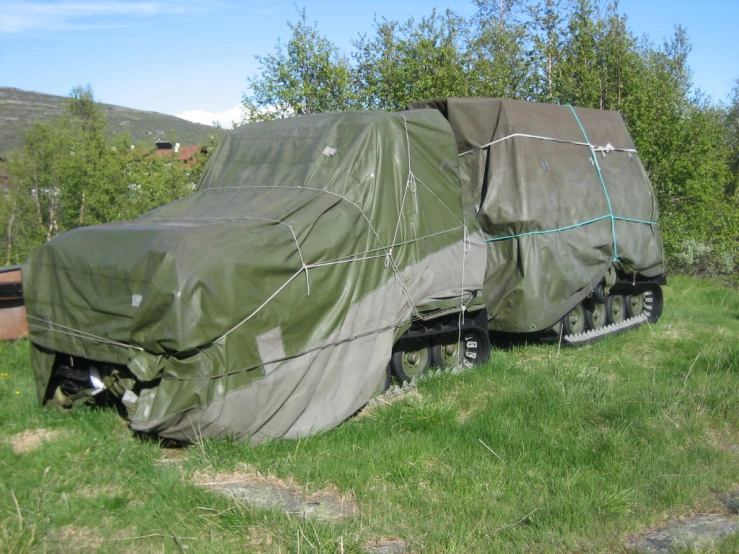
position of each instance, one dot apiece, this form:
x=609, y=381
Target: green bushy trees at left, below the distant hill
x=70, y=174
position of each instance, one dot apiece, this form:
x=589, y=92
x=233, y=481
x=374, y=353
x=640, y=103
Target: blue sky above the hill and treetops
x=175, y=57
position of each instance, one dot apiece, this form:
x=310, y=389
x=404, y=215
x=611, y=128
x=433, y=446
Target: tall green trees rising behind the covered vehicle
x=579, y=52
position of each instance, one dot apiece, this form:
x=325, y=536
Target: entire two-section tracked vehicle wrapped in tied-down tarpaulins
x=321, y=253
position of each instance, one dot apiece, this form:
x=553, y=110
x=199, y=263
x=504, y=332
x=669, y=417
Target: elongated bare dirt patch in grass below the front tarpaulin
x=270, y=492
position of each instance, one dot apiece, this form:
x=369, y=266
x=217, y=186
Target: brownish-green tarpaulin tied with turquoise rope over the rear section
x=560, y=194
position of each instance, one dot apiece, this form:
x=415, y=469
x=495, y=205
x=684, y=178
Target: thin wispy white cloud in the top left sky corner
x=25, y=15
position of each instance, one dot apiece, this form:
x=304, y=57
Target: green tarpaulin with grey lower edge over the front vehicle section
x=266, y=304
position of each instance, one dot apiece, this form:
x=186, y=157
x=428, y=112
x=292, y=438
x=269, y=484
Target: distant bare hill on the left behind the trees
x=20, y=108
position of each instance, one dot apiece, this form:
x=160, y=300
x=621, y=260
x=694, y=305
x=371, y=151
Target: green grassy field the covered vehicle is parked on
x=541, y=450
